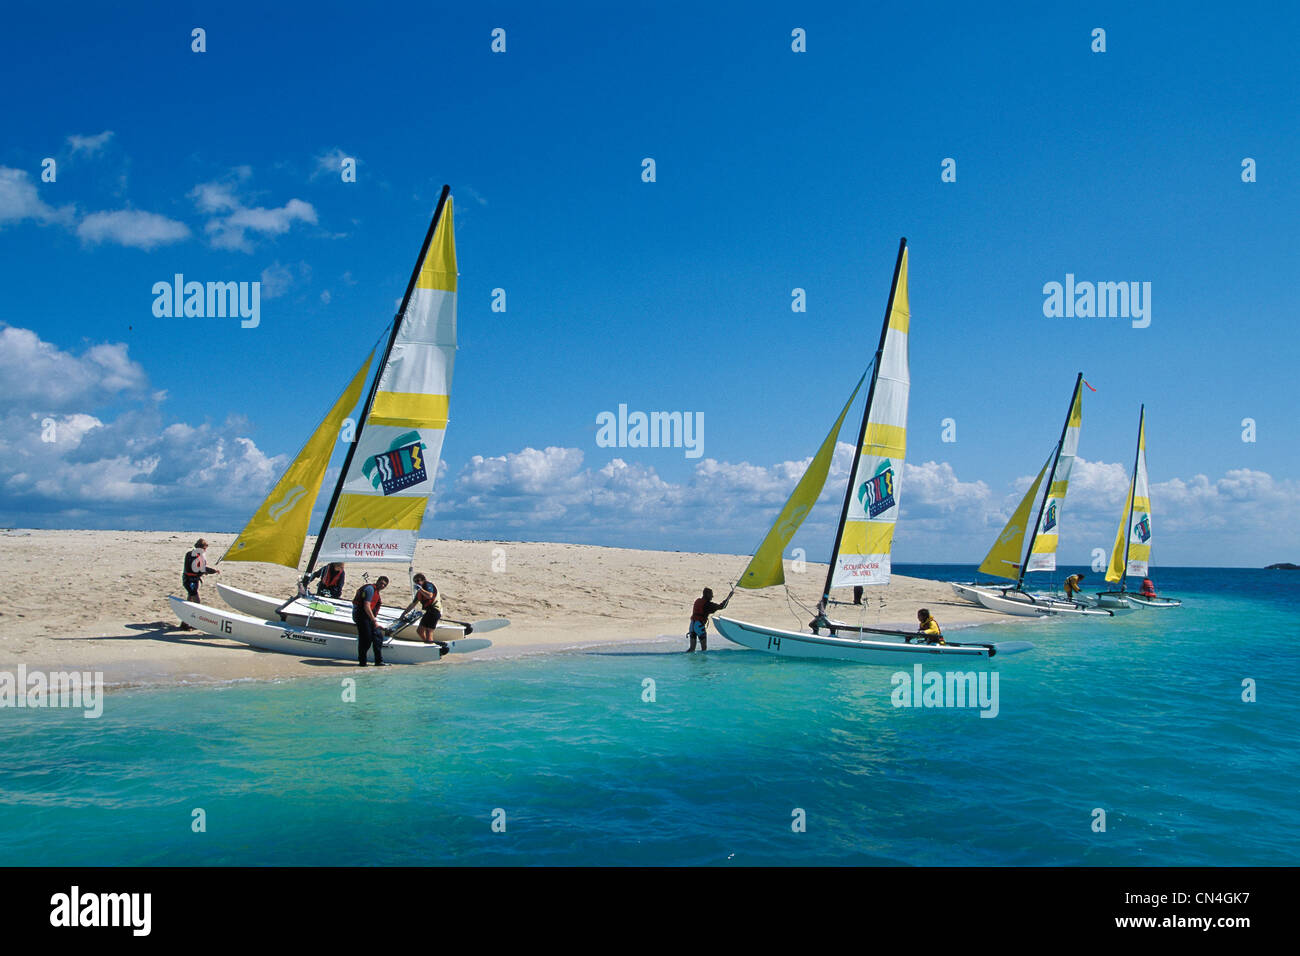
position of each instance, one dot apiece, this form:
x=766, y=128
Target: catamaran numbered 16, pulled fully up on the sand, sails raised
x=378, y=507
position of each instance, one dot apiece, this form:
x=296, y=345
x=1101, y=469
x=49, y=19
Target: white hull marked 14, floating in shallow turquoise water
x=881, y=648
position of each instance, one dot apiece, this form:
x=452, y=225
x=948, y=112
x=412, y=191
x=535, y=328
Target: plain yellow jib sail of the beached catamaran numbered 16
x=276, y=533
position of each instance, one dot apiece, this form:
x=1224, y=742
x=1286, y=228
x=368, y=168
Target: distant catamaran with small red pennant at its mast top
x=1011, y=560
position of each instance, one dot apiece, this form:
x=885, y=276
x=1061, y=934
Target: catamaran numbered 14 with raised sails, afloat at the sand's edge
x=860, y=555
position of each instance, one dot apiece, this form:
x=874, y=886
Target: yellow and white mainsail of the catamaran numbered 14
x=863, y=551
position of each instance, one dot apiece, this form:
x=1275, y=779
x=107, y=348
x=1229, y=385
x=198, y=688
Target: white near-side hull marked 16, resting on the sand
x=307, y=643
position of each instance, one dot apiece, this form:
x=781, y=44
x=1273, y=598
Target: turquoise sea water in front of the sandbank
x=1141, y=716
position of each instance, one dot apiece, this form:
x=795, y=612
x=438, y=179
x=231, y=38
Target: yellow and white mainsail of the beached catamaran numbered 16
x=391, y=477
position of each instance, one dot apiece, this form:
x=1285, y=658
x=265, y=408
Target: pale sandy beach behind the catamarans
x=97, y=600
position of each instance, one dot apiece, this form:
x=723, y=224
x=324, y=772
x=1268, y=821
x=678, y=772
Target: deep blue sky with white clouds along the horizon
x=774, y=171
